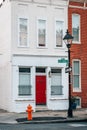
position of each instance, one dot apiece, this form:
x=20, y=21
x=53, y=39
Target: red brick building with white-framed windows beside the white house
x=77, y=25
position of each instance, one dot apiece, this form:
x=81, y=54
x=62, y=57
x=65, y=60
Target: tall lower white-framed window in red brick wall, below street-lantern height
x=76, y=74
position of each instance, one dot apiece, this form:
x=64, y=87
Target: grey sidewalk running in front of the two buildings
x=43, y=117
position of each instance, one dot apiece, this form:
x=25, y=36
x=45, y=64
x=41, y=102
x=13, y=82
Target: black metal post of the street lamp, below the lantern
x=70, y=113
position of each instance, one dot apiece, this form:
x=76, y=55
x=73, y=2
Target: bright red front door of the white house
x=40, y=90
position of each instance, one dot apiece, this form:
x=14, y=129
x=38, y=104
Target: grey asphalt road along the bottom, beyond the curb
x=54, y=126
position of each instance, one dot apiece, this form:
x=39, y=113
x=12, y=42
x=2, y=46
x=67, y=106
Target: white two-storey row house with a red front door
x=33, y=56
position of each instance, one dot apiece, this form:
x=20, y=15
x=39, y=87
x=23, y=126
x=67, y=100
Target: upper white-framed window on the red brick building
x=76, y=27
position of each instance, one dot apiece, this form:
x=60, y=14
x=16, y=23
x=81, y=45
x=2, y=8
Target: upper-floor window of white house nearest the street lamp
x=59, y=33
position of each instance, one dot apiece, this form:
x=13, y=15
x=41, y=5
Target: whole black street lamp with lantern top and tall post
x=68, y=41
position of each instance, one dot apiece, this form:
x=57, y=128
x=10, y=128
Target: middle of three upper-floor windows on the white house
x=41, y=33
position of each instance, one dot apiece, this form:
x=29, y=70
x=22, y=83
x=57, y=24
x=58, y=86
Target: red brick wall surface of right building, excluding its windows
x=79, y=51
